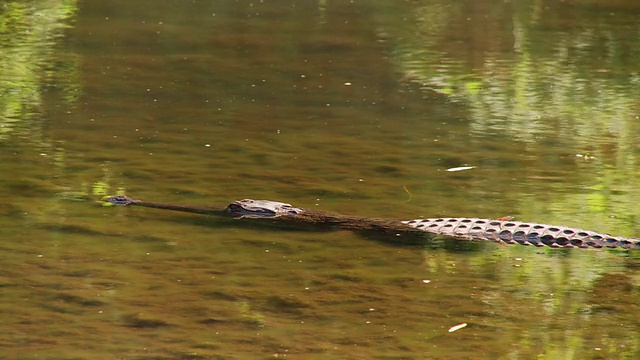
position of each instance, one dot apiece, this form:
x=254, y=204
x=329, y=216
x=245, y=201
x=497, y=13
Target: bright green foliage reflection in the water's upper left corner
x=29, y=61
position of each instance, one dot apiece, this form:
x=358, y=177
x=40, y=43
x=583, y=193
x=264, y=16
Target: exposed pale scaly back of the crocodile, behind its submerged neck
x=524, y=233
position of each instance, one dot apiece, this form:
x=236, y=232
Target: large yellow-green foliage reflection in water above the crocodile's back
x=526, y=76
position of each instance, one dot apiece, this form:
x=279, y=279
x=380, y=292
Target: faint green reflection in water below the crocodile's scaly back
x=560, y=295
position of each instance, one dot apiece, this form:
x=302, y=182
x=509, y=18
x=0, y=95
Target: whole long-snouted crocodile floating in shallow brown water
x=499, y=231
